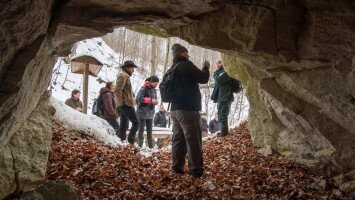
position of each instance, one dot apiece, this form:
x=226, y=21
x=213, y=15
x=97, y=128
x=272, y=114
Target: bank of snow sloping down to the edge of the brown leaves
x=91, y=125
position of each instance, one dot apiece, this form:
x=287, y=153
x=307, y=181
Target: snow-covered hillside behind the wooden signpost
x=63, y=81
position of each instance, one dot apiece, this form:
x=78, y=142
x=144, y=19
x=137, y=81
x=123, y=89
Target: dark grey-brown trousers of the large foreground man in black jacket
x=187, y=139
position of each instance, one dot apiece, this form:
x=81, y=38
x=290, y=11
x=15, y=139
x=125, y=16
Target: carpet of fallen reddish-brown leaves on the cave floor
x=234, y=170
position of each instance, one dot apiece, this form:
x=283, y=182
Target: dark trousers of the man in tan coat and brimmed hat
x=128, y=114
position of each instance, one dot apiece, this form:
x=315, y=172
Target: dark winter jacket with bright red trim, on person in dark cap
x=145, y=108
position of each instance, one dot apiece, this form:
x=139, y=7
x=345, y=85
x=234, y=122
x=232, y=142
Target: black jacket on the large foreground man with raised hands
x=186, y=90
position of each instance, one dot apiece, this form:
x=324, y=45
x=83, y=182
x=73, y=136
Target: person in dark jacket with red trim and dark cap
x=146, y=101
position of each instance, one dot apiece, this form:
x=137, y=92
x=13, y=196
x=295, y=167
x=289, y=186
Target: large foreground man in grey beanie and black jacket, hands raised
x=187, y=136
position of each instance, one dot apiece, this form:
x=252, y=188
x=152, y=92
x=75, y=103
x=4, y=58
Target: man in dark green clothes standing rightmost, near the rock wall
x=222, y=95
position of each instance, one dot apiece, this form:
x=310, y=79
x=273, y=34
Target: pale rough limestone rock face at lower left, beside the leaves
x=23, y=160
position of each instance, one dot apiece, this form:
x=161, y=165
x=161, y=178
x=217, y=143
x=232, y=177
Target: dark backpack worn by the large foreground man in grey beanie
x=166, y=86
